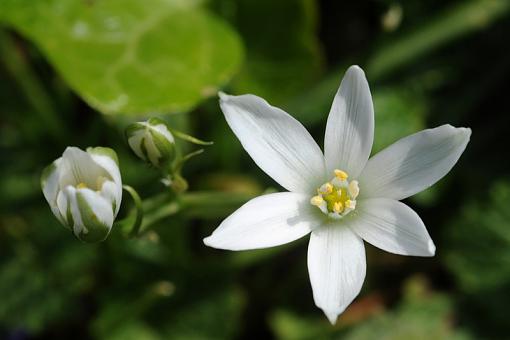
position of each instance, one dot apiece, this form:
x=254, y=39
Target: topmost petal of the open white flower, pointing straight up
x=350, y=128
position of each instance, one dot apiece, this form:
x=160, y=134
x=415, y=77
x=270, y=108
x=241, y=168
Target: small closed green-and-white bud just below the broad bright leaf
x=152, y=142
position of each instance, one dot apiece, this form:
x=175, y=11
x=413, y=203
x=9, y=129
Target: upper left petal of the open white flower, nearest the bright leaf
x=277, y=142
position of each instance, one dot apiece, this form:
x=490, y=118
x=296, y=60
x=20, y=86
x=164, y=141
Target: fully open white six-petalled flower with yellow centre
x=341, y=197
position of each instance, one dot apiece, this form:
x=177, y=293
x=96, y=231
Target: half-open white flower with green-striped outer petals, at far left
x=84, y=191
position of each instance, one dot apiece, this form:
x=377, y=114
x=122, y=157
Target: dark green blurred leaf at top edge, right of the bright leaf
x=283, y=53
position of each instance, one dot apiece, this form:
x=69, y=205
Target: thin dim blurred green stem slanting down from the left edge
x=30, y=85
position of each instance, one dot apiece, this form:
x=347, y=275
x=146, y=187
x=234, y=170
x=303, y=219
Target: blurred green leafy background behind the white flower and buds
x=76, y=72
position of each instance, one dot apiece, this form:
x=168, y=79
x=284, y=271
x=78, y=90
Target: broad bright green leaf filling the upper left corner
x=130, y=56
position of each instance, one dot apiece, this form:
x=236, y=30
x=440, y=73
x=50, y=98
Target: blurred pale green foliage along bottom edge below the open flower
x=420, y=315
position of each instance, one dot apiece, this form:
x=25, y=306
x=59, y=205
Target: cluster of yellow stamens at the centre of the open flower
x=337, y=197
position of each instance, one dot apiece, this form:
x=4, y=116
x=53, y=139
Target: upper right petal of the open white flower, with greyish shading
x=413, y=163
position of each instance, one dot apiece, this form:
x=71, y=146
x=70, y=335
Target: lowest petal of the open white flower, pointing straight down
x=337, y=266
